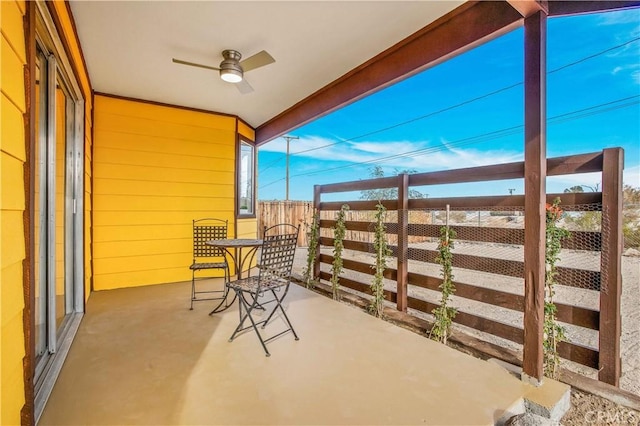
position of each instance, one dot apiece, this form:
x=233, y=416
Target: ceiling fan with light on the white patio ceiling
x=232, y=69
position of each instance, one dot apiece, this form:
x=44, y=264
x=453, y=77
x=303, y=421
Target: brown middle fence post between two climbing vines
x=403, y=241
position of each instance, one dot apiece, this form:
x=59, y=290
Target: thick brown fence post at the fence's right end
x=611, y=266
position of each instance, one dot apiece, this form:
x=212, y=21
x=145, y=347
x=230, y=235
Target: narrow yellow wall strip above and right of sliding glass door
x=76, y=56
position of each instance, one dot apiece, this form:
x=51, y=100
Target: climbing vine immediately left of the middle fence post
x=376, y=307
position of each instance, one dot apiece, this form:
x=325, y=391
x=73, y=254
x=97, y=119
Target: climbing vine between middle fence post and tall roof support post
x=444, y=313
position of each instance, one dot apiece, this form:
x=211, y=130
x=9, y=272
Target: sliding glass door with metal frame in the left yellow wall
x=57, y=221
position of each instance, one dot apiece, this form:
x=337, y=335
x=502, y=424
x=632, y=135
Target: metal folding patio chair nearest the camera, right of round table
x=272, y=281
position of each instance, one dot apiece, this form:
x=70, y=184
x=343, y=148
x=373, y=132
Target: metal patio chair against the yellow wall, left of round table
x=206, y=257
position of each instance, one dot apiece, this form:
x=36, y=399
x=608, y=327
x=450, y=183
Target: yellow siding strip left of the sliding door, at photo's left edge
x=12, y=206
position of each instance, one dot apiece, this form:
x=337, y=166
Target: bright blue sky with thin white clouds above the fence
x=469, y=112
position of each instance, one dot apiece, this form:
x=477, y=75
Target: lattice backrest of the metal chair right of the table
x=278, y=250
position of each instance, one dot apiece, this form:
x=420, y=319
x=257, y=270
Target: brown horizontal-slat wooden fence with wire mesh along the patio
x=605, y=358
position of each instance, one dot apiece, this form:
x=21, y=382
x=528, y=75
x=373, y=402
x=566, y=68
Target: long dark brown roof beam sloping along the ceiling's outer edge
x=457, y=31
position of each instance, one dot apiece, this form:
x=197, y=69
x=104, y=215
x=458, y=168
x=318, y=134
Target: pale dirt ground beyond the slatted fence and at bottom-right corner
x=586, y=408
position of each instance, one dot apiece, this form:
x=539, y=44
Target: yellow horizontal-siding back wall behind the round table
x=156, y=168
